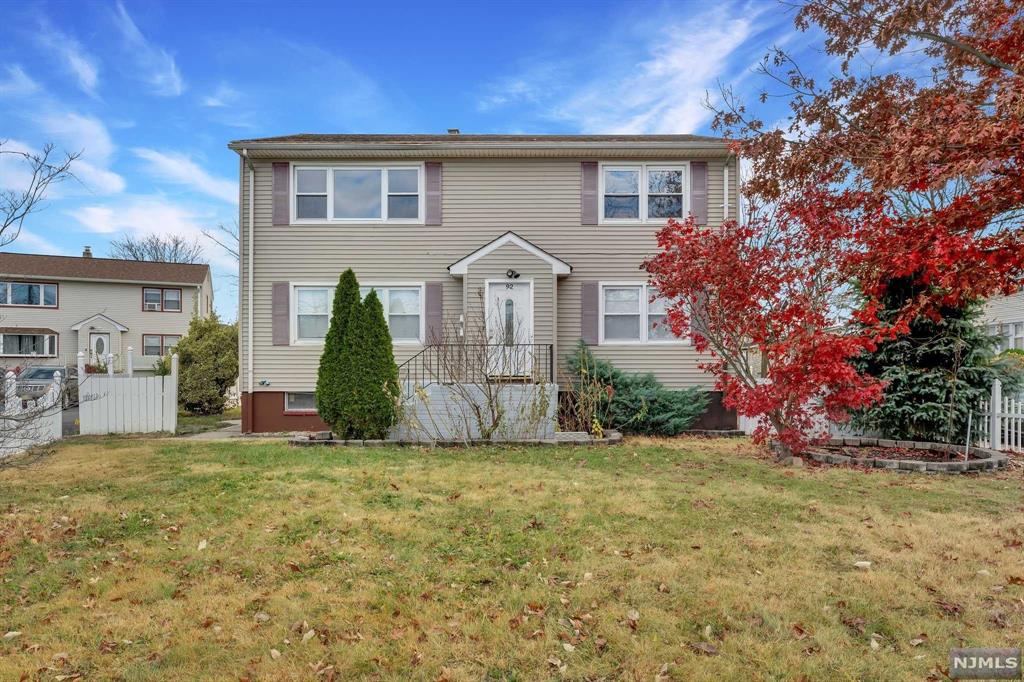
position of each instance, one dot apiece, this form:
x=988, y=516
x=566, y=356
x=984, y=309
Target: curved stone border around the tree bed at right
x=984, y=459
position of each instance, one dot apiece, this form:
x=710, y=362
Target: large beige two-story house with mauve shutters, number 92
x=550, y=230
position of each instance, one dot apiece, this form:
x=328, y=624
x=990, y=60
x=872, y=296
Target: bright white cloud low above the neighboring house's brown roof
x=139, y=216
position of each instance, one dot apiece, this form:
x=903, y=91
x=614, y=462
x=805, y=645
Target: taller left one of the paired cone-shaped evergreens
x=329, y=378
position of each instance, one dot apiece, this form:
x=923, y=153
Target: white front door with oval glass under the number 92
x=510, y=327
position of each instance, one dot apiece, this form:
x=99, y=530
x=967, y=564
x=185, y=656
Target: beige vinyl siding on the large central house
x=538, y=199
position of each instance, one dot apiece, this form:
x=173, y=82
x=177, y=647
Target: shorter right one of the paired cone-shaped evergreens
x=369, y=385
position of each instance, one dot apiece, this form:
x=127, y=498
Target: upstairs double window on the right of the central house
x=643, y=193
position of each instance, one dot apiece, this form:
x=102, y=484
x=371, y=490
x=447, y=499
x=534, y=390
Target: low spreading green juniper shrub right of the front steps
x=638, y=403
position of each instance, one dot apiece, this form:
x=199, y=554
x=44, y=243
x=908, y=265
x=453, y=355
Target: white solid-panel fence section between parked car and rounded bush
x=126, y=404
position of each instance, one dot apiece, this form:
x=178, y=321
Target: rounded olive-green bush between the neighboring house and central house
x=208, y=365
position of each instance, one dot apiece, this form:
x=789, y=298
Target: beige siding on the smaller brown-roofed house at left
x=119, y=302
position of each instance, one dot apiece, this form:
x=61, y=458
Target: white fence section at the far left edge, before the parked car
x=30, y=424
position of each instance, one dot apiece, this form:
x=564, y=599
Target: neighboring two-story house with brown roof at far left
x=52, y=308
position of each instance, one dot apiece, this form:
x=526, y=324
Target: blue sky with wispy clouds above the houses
x=151, y=93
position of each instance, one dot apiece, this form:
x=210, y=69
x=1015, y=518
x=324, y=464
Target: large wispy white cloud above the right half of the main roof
x=657, y=89
